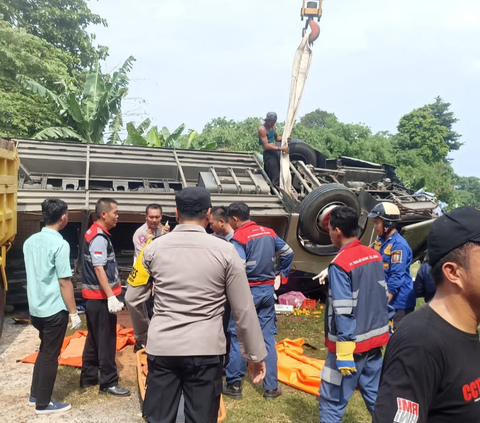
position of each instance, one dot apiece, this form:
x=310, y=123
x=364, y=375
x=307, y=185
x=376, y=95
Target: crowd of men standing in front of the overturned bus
x=204, y=304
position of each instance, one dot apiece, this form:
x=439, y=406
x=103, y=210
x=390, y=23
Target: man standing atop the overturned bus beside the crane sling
x=267, y=136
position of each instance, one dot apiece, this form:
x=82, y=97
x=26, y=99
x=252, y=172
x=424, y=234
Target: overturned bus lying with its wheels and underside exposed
x=80, y=174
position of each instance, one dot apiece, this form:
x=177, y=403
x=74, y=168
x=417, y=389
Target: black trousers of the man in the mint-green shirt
x=51, y=332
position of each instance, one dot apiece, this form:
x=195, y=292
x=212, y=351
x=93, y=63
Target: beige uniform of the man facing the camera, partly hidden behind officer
x=138, y=294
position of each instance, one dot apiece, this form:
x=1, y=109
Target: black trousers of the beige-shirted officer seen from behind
x=200, y=379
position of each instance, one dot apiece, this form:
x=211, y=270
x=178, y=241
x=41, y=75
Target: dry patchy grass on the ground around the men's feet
x=294, y=406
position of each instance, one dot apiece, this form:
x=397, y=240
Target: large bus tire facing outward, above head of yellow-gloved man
x=318, y=205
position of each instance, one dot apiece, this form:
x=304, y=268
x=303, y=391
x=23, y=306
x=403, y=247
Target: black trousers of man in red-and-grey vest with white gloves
x=100, y=346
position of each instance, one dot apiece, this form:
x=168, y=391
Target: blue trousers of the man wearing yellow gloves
x=336, y=390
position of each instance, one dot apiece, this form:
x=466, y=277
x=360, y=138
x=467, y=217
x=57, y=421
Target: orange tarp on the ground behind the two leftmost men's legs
x=72, y=347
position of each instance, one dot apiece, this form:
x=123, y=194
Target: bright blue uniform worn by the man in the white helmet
x=397, y=258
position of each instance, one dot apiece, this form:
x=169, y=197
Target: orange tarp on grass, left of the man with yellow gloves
x=296, y=369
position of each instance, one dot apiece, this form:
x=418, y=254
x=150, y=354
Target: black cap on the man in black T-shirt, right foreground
x=452, y=230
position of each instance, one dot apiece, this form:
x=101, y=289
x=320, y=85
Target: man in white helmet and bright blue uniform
x=397, y=258
